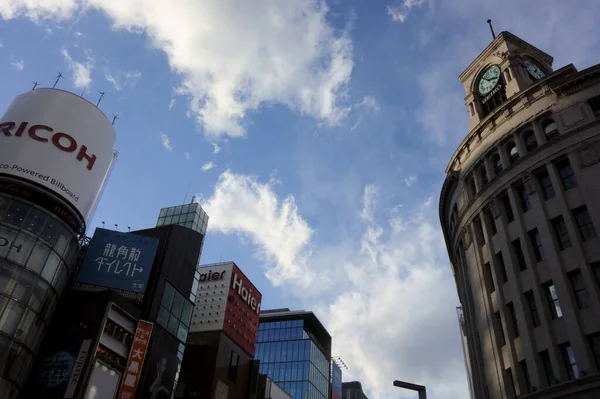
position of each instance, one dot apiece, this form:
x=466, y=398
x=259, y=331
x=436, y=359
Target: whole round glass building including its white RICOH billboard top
x=56, y=151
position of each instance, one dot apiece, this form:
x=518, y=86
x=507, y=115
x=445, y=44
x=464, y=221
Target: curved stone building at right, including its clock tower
x=520, y=212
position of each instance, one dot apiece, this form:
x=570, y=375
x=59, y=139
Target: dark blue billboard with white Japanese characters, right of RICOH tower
x=118, y=260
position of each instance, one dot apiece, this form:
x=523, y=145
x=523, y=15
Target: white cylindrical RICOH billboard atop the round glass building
x=60, y=141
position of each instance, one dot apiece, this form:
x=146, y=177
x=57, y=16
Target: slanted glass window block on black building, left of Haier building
x=175, y=312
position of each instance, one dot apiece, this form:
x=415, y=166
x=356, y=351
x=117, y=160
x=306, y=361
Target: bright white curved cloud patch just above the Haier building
x=242, y=205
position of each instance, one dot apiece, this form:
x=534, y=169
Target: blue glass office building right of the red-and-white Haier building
x=294, y=350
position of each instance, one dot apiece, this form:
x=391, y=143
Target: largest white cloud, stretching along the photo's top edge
x=233, y=58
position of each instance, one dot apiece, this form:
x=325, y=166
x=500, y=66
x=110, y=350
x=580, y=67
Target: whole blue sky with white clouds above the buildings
x=315, y=135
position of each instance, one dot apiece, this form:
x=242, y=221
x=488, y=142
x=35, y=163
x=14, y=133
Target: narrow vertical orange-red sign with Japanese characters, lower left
x=135, y=362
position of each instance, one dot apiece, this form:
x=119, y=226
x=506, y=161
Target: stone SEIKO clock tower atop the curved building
x=506, y=67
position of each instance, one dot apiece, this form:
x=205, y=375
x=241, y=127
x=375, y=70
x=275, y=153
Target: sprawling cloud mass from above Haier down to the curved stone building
x=387, y=297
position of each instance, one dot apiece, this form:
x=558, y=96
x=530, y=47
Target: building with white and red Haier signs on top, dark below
x=219, y=357
